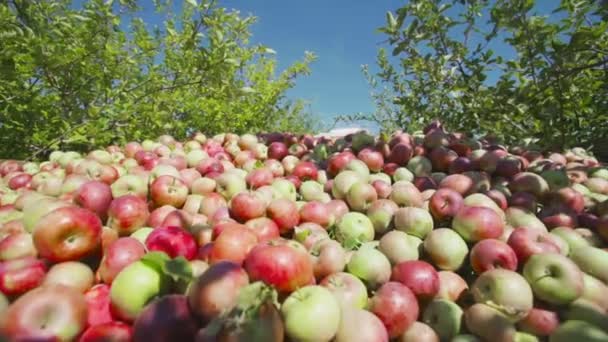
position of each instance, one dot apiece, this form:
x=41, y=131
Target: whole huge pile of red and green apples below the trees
x=429, y=236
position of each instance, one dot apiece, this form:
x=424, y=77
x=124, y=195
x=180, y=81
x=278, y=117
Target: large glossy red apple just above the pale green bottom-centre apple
x=284, y=264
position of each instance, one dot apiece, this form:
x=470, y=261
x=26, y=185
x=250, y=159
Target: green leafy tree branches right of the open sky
x=441, y=63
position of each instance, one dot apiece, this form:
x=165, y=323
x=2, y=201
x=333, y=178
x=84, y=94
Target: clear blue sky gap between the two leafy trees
x=341, y=33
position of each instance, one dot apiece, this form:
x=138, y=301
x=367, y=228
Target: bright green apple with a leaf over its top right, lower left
x=134, y=287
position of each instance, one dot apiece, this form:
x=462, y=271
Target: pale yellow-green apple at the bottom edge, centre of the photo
x=315, y=306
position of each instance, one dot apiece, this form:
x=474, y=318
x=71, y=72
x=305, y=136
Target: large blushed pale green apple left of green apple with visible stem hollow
x=504, y=290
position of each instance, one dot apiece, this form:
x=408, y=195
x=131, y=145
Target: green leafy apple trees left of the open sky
x=72, y=77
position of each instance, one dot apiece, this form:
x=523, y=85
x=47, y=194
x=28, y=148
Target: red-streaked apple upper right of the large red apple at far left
x=128, y=213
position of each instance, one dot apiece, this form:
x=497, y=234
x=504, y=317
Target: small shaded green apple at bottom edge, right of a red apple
x=444, y=316
